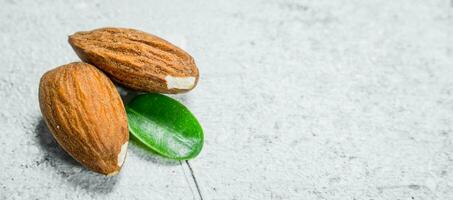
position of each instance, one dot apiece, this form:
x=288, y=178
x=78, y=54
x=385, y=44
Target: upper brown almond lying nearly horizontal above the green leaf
x=136, y=59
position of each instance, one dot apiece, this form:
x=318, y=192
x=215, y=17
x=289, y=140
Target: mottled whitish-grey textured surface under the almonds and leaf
x=299, y=99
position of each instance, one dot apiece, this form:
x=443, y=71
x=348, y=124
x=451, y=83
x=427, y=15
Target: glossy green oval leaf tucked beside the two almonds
x=165, y=126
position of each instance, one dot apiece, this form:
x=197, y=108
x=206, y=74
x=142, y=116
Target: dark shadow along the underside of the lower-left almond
x=68, y=168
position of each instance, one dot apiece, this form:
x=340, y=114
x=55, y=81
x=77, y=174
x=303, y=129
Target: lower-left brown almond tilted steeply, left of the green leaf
x=86, y=116
